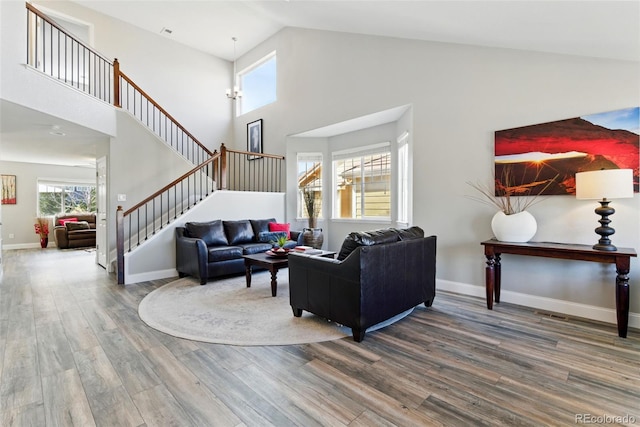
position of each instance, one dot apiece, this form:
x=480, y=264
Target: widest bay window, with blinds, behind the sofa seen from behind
x=362, y=180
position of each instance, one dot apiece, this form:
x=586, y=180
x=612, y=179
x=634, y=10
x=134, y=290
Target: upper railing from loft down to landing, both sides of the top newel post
x=55, y=52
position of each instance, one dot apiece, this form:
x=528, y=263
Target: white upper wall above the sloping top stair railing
x=188, y=83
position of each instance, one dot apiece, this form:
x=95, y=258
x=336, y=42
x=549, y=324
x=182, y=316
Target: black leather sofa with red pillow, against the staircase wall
x=211, y=249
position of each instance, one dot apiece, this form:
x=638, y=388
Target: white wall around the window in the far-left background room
x=18, y=219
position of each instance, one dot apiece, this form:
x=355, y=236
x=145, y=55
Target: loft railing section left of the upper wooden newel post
x=53, y=51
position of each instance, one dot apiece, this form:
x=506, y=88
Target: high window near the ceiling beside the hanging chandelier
x=258, y=84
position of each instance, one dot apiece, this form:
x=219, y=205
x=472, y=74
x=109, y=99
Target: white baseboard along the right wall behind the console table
x=548, y=304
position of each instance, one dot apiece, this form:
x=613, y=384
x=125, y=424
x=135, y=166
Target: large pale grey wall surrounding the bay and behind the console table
x=460, y=96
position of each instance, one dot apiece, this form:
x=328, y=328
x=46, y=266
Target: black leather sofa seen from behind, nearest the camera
x=377, y=275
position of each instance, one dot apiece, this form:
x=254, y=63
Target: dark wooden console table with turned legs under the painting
x=621, y=258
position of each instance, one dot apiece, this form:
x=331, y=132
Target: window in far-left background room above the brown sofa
x=59, y=198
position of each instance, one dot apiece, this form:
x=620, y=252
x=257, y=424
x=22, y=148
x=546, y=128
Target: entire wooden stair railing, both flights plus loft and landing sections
x=55, y=52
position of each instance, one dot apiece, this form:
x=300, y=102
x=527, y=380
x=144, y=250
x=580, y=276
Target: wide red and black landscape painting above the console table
x=549, y=154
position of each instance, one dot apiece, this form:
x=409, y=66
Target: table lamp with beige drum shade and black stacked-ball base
x=603, y=185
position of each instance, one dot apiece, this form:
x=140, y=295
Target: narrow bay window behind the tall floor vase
x=309, y=184
